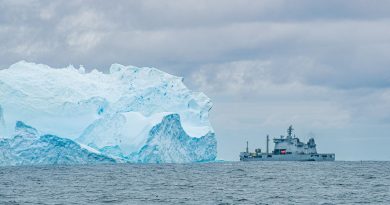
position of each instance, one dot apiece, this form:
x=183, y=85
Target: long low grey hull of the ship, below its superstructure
x=287, y=157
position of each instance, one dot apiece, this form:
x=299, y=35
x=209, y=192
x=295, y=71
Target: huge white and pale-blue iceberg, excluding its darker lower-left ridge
x=129, y=115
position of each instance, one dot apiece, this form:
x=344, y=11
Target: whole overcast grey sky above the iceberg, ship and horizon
x=321, y=66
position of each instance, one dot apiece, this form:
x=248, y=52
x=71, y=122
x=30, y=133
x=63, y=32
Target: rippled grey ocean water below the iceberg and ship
x=199, y=183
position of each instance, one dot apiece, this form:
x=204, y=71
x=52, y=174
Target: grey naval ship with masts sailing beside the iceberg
x=288, y=148
